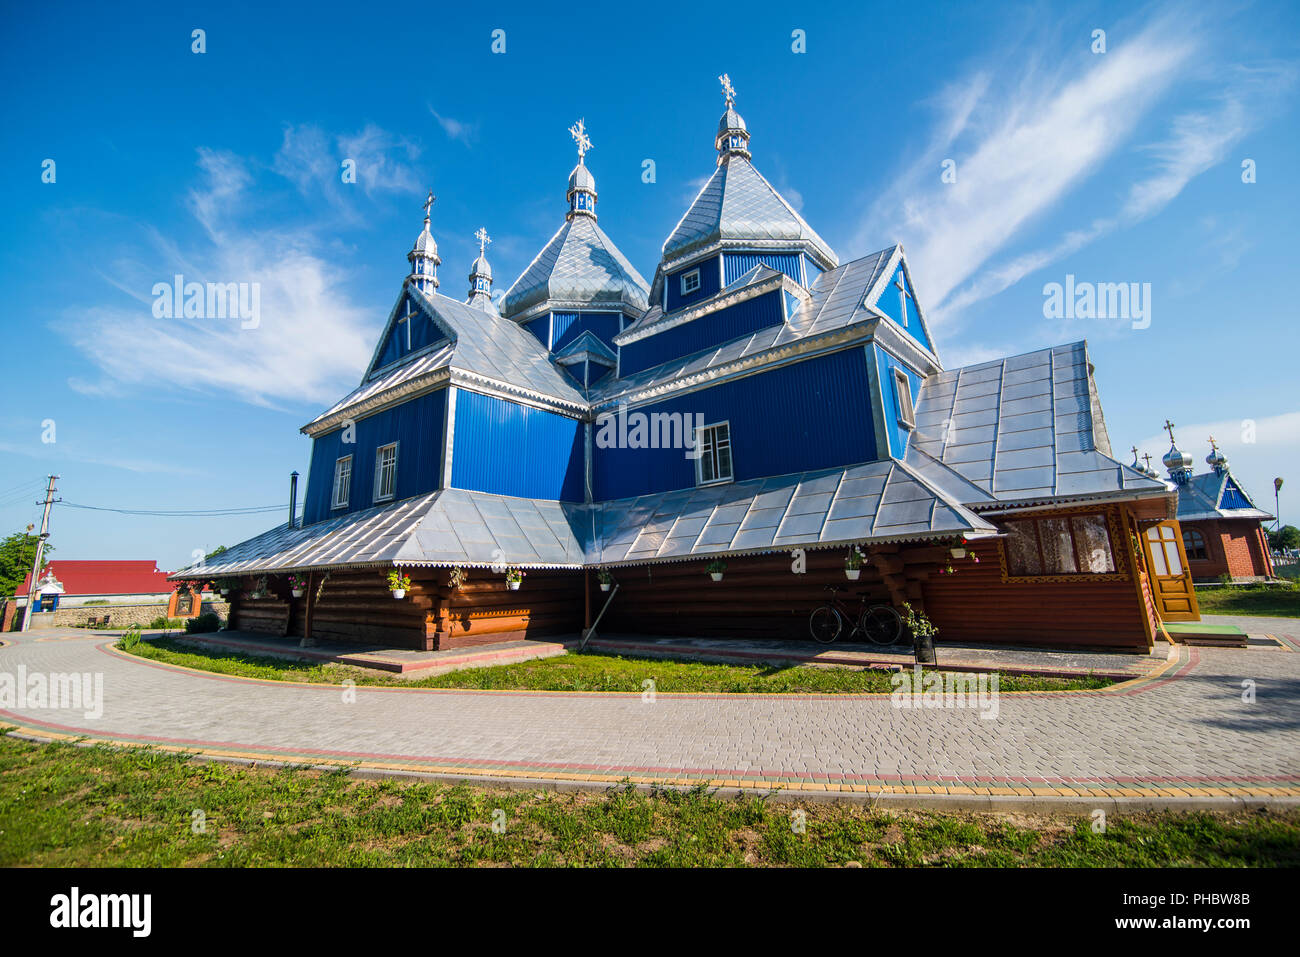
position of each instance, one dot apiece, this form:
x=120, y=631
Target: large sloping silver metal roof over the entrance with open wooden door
x=1025, y=428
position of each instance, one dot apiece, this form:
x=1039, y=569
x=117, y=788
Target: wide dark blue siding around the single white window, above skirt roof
x=814, y=414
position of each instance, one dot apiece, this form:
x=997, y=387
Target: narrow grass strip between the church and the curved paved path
x=582, y=673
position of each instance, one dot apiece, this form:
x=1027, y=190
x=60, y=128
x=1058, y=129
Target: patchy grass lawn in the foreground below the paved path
x=64, y=807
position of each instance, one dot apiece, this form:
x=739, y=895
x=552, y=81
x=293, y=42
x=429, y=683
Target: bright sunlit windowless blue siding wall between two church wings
x=509, y=449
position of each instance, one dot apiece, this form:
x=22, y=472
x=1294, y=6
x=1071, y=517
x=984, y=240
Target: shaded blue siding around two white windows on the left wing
x=417, y=426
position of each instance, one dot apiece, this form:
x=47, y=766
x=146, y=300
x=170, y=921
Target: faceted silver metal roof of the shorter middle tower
x=580, y=267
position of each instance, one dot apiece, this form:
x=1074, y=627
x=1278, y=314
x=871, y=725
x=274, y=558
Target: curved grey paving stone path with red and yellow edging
x=1184, y=734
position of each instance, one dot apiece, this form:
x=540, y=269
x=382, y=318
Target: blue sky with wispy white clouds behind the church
x=1116, y=167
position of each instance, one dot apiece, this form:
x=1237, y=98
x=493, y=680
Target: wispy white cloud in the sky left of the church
x=311, y=341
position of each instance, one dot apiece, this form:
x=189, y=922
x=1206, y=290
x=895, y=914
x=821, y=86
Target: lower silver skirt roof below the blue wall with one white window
x=879, y=501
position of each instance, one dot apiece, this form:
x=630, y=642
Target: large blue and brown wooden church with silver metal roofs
x=704, y=453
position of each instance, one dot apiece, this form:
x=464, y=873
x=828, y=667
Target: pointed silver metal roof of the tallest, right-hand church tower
x=739, y=205
